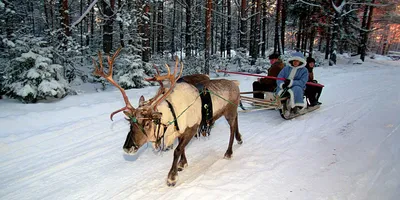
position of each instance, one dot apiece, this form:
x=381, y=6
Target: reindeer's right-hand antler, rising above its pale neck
x=172, y=79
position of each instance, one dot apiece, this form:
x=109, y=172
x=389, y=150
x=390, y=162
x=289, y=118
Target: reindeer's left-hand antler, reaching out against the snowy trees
x=99, y=71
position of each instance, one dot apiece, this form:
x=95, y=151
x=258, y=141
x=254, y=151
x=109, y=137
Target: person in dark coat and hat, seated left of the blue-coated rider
x=266, y=84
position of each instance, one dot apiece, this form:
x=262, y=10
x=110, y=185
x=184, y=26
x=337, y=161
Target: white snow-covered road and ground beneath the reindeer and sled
x=347, y=149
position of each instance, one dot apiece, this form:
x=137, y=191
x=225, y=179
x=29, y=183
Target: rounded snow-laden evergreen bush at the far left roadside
x=33, y=77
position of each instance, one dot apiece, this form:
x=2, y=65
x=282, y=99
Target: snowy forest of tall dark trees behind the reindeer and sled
x=47, y=46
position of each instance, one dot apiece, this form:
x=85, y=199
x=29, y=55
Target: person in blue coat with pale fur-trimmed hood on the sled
x=296, y=77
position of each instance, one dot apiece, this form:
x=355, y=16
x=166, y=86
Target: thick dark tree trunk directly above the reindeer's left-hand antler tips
x=108, y=25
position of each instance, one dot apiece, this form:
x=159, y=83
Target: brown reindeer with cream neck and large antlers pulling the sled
x=174, y=112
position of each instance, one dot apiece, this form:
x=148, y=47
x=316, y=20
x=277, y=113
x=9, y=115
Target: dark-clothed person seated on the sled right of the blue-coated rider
x=312, y=92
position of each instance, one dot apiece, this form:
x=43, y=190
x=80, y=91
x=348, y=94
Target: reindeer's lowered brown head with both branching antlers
x=145, y=121
